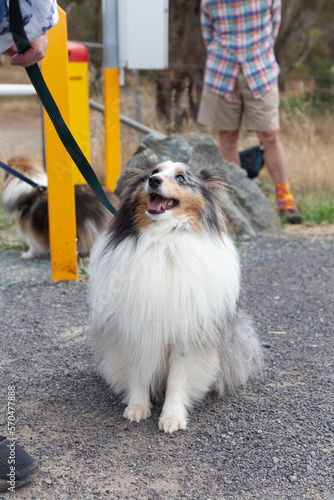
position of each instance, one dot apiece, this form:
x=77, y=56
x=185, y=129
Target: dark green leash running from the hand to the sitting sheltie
x=66, y=137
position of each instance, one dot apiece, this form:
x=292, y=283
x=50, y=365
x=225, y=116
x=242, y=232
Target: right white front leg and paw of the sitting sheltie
x=189, y=379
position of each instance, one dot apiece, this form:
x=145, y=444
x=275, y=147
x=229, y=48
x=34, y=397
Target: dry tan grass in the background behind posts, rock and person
x=307, y=141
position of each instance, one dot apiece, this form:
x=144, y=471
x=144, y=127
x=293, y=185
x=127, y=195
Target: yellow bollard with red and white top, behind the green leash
x=79, y=96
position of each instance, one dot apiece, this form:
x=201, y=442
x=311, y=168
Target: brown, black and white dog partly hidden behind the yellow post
x=28, y=206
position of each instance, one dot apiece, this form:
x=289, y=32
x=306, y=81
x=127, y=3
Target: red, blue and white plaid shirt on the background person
x=239, y=36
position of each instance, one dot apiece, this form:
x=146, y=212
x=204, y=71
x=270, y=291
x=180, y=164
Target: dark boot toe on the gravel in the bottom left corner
x=17, y=467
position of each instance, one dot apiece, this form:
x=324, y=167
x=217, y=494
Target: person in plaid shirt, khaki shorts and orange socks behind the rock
x=241, y=75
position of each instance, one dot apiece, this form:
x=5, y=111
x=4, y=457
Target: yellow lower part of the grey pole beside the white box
x=112, y=127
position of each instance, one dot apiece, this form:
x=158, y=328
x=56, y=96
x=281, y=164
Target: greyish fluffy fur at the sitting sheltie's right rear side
x=240, y=353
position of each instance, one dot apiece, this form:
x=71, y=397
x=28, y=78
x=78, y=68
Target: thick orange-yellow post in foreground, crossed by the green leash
x=61, y=201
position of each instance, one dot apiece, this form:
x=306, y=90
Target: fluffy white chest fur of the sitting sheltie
x=165, y=288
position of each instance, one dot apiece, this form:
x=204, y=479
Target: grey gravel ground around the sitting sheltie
x=271, y=440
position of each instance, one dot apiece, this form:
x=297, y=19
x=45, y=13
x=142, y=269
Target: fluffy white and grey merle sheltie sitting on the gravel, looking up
x=164, y=288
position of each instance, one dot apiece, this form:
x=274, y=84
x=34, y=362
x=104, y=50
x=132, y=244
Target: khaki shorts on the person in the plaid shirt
x=261, y=114
